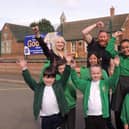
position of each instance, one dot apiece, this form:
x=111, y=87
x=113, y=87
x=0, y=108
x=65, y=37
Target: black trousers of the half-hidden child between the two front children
x=69, y=120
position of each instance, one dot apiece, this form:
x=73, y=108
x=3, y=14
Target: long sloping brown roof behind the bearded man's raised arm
x=72, y=30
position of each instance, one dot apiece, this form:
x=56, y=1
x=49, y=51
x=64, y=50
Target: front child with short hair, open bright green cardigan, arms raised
x=95, y=95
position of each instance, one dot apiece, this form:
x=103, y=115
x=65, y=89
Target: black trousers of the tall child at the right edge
x=118, y=97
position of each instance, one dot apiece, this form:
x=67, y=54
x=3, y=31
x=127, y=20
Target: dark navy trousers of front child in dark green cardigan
x=51, y=122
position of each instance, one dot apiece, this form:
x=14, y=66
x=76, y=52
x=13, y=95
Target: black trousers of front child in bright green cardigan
x=95, y=122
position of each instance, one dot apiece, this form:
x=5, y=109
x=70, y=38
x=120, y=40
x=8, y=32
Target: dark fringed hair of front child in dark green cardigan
x=49, y=72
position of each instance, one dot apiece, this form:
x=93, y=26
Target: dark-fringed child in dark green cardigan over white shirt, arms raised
x=49, y=99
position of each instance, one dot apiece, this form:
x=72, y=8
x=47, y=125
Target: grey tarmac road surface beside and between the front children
x=16, y=105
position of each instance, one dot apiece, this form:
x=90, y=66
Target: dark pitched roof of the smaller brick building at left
x=19, y=31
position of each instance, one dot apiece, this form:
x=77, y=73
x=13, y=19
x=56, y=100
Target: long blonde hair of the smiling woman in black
x=55, y=39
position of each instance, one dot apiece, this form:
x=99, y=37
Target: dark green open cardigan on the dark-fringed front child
x=38, y=89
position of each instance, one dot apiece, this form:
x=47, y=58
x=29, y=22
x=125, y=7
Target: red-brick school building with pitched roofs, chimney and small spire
x=12, y=35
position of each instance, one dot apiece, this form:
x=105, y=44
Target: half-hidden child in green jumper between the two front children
x=70, y=95
